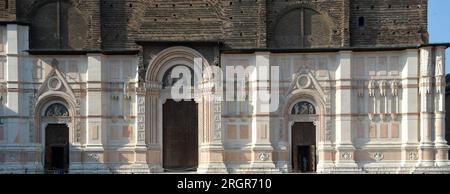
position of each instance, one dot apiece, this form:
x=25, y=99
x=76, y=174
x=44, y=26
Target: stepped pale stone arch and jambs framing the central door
x=155, y=96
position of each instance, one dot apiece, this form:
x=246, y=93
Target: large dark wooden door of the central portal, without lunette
x=180, y=136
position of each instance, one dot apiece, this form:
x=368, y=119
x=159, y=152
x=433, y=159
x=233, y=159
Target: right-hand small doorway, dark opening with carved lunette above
x=303, y=137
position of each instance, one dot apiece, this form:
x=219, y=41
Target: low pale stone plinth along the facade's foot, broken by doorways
x=380, y=168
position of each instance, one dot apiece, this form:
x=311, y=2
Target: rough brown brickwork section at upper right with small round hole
x=388, y=22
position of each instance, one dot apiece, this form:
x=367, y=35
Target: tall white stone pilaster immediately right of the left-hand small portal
x=94, y=157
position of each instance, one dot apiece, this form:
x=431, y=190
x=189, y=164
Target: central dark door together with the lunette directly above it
x=180, y=120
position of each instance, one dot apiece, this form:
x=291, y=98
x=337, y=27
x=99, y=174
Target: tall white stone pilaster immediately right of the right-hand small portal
x=345, y=151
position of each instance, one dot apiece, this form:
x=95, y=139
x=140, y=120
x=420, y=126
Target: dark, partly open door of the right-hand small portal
x=303, y=147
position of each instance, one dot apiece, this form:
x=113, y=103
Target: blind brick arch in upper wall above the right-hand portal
x=330, y=25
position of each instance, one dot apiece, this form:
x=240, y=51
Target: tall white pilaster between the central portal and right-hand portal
x=262, y=150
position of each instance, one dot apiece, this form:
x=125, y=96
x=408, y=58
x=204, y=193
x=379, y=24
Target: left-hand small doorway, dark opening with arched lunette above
x=56, y=118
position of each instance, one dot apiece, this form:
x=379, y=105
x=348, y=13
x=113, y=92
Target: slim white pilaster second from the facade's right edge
x=426, y=146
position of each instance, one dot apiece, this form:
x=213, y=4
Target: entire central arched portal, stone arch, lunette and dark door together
x=177, y=117
